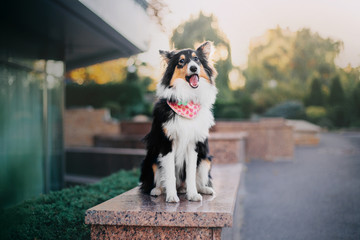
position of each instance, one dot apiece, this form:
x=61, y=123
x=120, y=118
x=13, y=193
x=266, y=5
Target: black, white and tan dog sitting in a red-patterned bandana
x=177, y=158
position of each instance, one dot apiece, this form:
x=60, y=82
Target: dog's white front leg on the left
x=168, y=163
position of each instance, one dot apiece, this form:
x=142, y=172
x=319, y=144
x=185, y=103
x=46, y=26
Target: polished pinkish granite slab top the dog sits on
x=133, y=208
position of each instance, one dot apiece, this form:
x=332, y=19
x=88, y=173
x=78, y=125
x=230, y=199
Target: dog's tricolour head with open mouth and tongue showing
x=188, y=73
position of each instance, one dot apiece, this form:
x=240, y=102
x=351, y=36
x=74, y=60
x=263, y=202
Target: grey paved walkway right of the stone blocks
x=317, y=196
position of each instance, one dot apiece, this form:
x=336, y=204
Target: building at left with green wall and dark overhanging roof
x=42, y=39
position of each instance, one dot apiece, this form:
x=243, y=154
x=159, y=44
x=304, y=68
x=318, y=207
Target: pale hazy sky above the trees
x=243, y=20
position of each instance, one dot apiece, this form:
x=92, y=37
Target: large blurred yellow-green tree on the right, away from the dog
x=281, y=63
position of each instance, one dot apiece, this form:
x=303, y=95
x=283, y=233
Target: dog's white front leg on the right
x=191, y=158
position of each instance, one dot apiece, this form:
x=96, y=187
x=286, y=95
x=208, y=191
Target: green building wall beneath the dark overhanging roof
x=31, y=142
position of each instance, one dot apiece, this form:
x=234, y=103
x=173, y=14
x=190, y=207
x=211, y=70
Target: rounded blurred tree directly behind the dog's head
x=195, y=31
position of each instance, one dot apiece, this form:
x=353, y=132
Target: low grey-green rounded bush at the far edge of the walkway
x=290, y=110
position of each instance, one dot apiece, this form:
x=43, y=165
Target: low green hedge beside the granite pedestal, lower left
x=60, y=215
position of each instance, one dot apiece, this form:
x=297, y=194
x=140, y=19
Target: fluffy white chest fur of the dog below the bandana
x=187, y=130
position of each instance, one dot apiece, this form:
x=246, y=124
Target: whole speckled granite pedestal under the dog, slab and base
x=134, y=215
